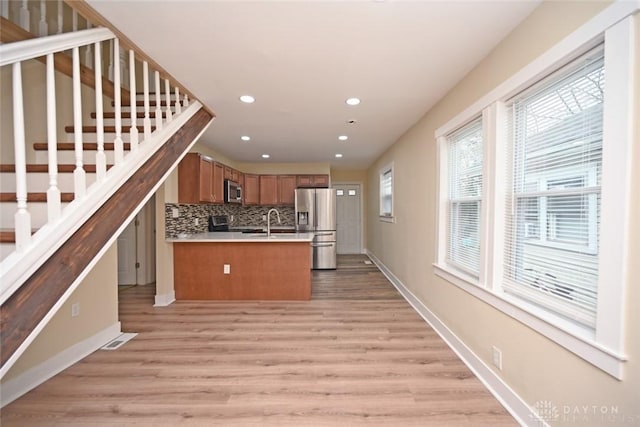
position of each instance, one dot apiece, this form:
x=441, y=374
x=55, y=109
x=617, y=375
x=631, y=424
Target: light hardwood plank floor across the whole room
x=355, y=354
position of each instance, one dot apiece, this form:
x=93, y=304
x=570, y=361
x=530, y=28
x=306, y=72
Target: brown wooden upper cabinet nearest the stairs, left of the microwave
x=195, y=173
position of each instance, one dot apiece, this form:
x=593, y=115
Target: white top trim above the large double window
x=576, y=43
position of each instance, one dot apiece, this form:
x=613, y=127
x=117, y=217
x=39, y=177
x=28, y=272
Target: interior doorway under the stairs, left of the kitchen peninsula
x=136, y=248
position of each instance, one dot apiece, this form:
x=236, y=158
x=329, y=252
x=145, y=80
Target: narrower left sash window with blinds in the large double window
x=464, y=153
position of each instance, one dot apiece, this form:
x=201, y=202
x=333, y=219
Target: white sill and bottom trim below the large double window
x=578, y=341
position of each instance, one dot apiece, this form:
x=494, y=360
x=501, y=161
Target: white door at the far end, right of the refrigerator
x=349, y=223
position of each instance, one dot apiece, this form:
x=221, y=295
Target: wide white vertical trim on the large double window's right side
x=615, y=216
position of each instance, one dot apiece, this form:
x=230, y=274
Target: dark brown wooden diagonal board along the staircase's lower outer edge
x=28, y=306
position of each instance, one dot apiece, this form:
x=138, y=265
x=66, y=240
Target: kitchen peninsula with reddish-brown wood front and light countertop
x=242, y=266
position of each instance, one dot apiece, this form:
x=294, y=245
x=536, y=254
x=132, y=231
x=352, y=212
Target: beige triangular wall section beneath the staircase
x=97, y=296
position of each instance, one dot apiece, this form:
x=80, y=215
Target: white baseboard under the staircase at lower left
x=28, y=380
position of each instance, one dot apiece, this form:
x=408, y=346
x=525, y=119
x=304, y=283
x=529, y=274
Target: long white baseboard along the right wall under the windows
x=517, y=407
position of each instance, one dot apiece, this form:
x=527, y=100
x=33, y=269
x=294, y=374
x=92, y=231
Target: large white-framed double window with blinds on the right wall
x=550, y=213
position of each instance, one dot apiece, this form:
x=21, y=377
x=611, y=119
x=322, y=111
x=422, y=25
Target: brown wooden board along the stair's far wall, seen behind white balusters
x=10, y=32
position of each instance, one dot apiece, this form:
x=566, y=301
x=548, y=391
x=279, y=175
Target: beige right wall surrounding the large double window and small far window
x=536, y=368
